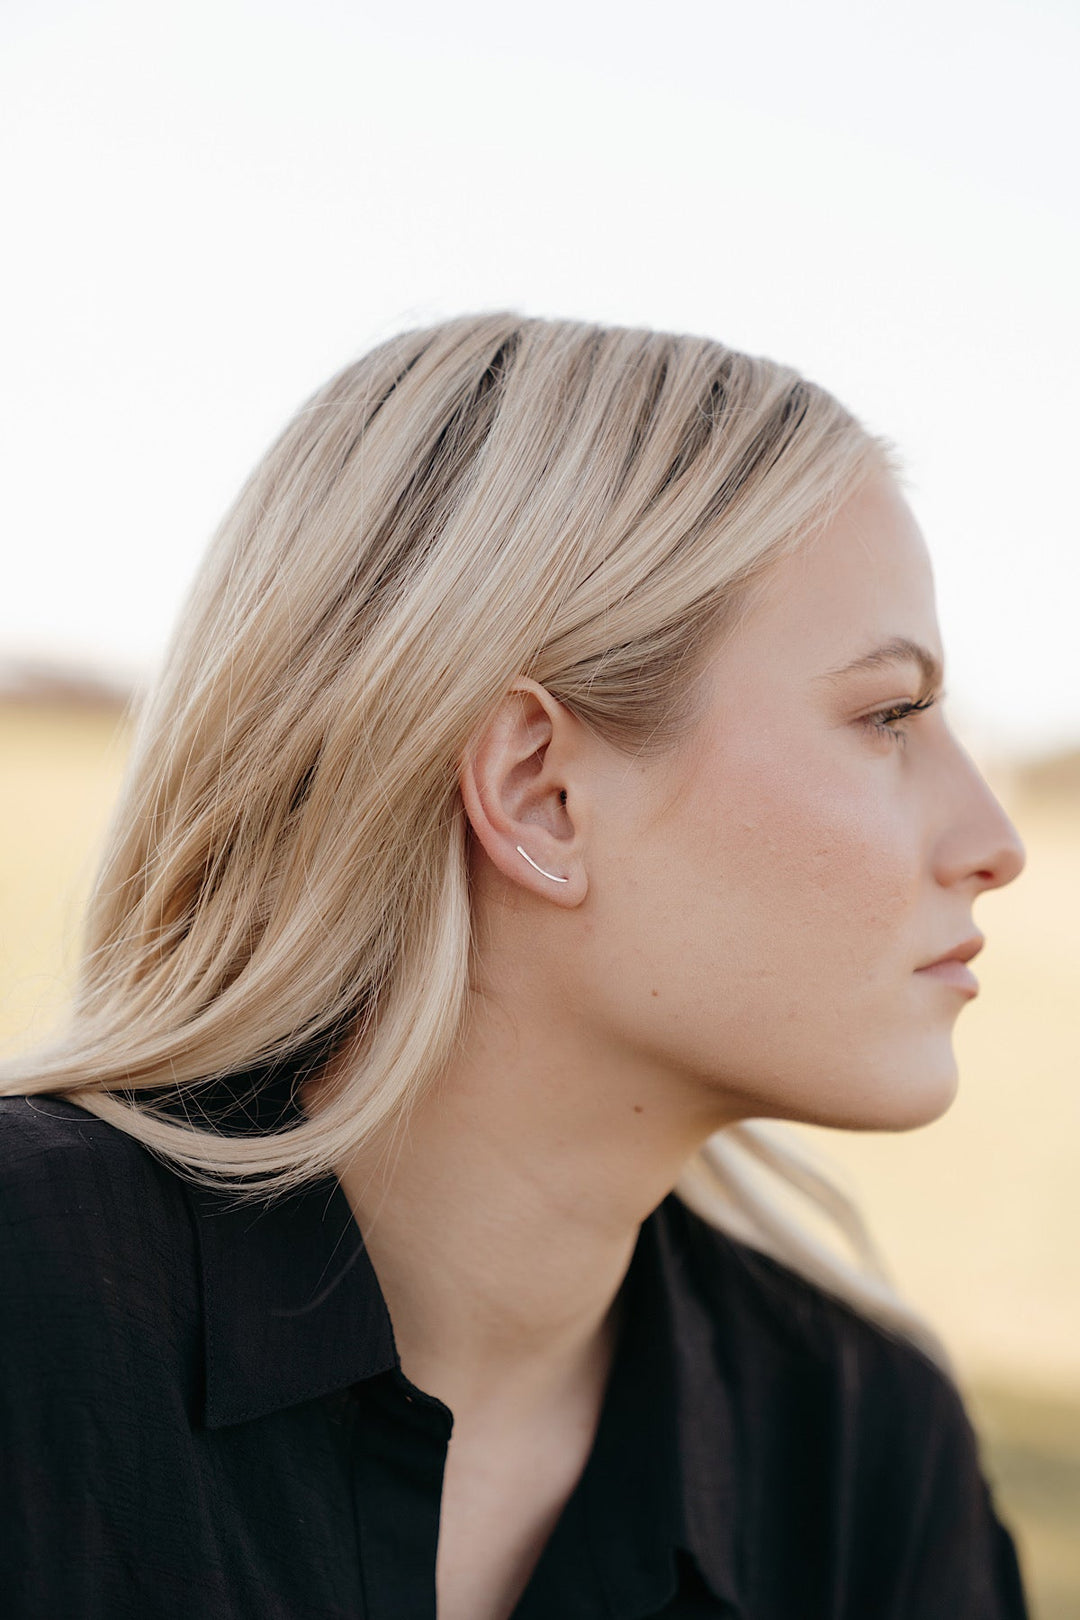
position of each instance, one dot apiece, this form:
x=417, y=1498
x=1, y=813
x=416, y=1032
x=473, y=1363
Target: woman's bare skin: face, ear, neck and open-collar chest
x=738, y=937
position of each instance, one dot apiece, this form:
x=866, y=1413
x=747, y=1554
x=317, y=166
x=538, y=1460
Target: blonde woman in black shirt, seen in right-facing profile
x=548, y=788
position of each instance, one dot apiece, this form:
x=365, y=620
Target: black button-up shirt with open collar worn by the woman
x=203, y=1415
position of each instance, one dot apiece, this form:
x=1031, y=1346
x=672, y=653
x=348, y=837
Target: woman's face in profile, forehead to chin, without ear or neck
x=760, y=908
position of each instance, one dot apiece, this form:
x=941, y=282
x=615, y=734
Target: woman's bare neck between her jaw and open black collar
x=503, y=1219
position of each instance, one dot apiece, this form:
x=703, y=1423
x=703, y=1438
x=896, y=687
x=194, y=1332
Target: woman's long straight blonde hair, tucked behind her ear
x=287, y=872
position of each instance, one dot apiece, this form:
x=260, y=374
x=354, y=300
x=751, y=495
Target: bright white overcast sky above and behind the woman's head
x=211, y=208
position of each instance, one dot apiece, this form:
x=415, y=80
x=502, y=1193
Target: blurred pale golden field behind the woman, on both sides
x=979, y=1213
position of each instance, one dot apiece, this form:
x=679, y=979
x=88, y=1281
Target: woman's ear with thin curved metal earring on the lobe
x=517, y=785
